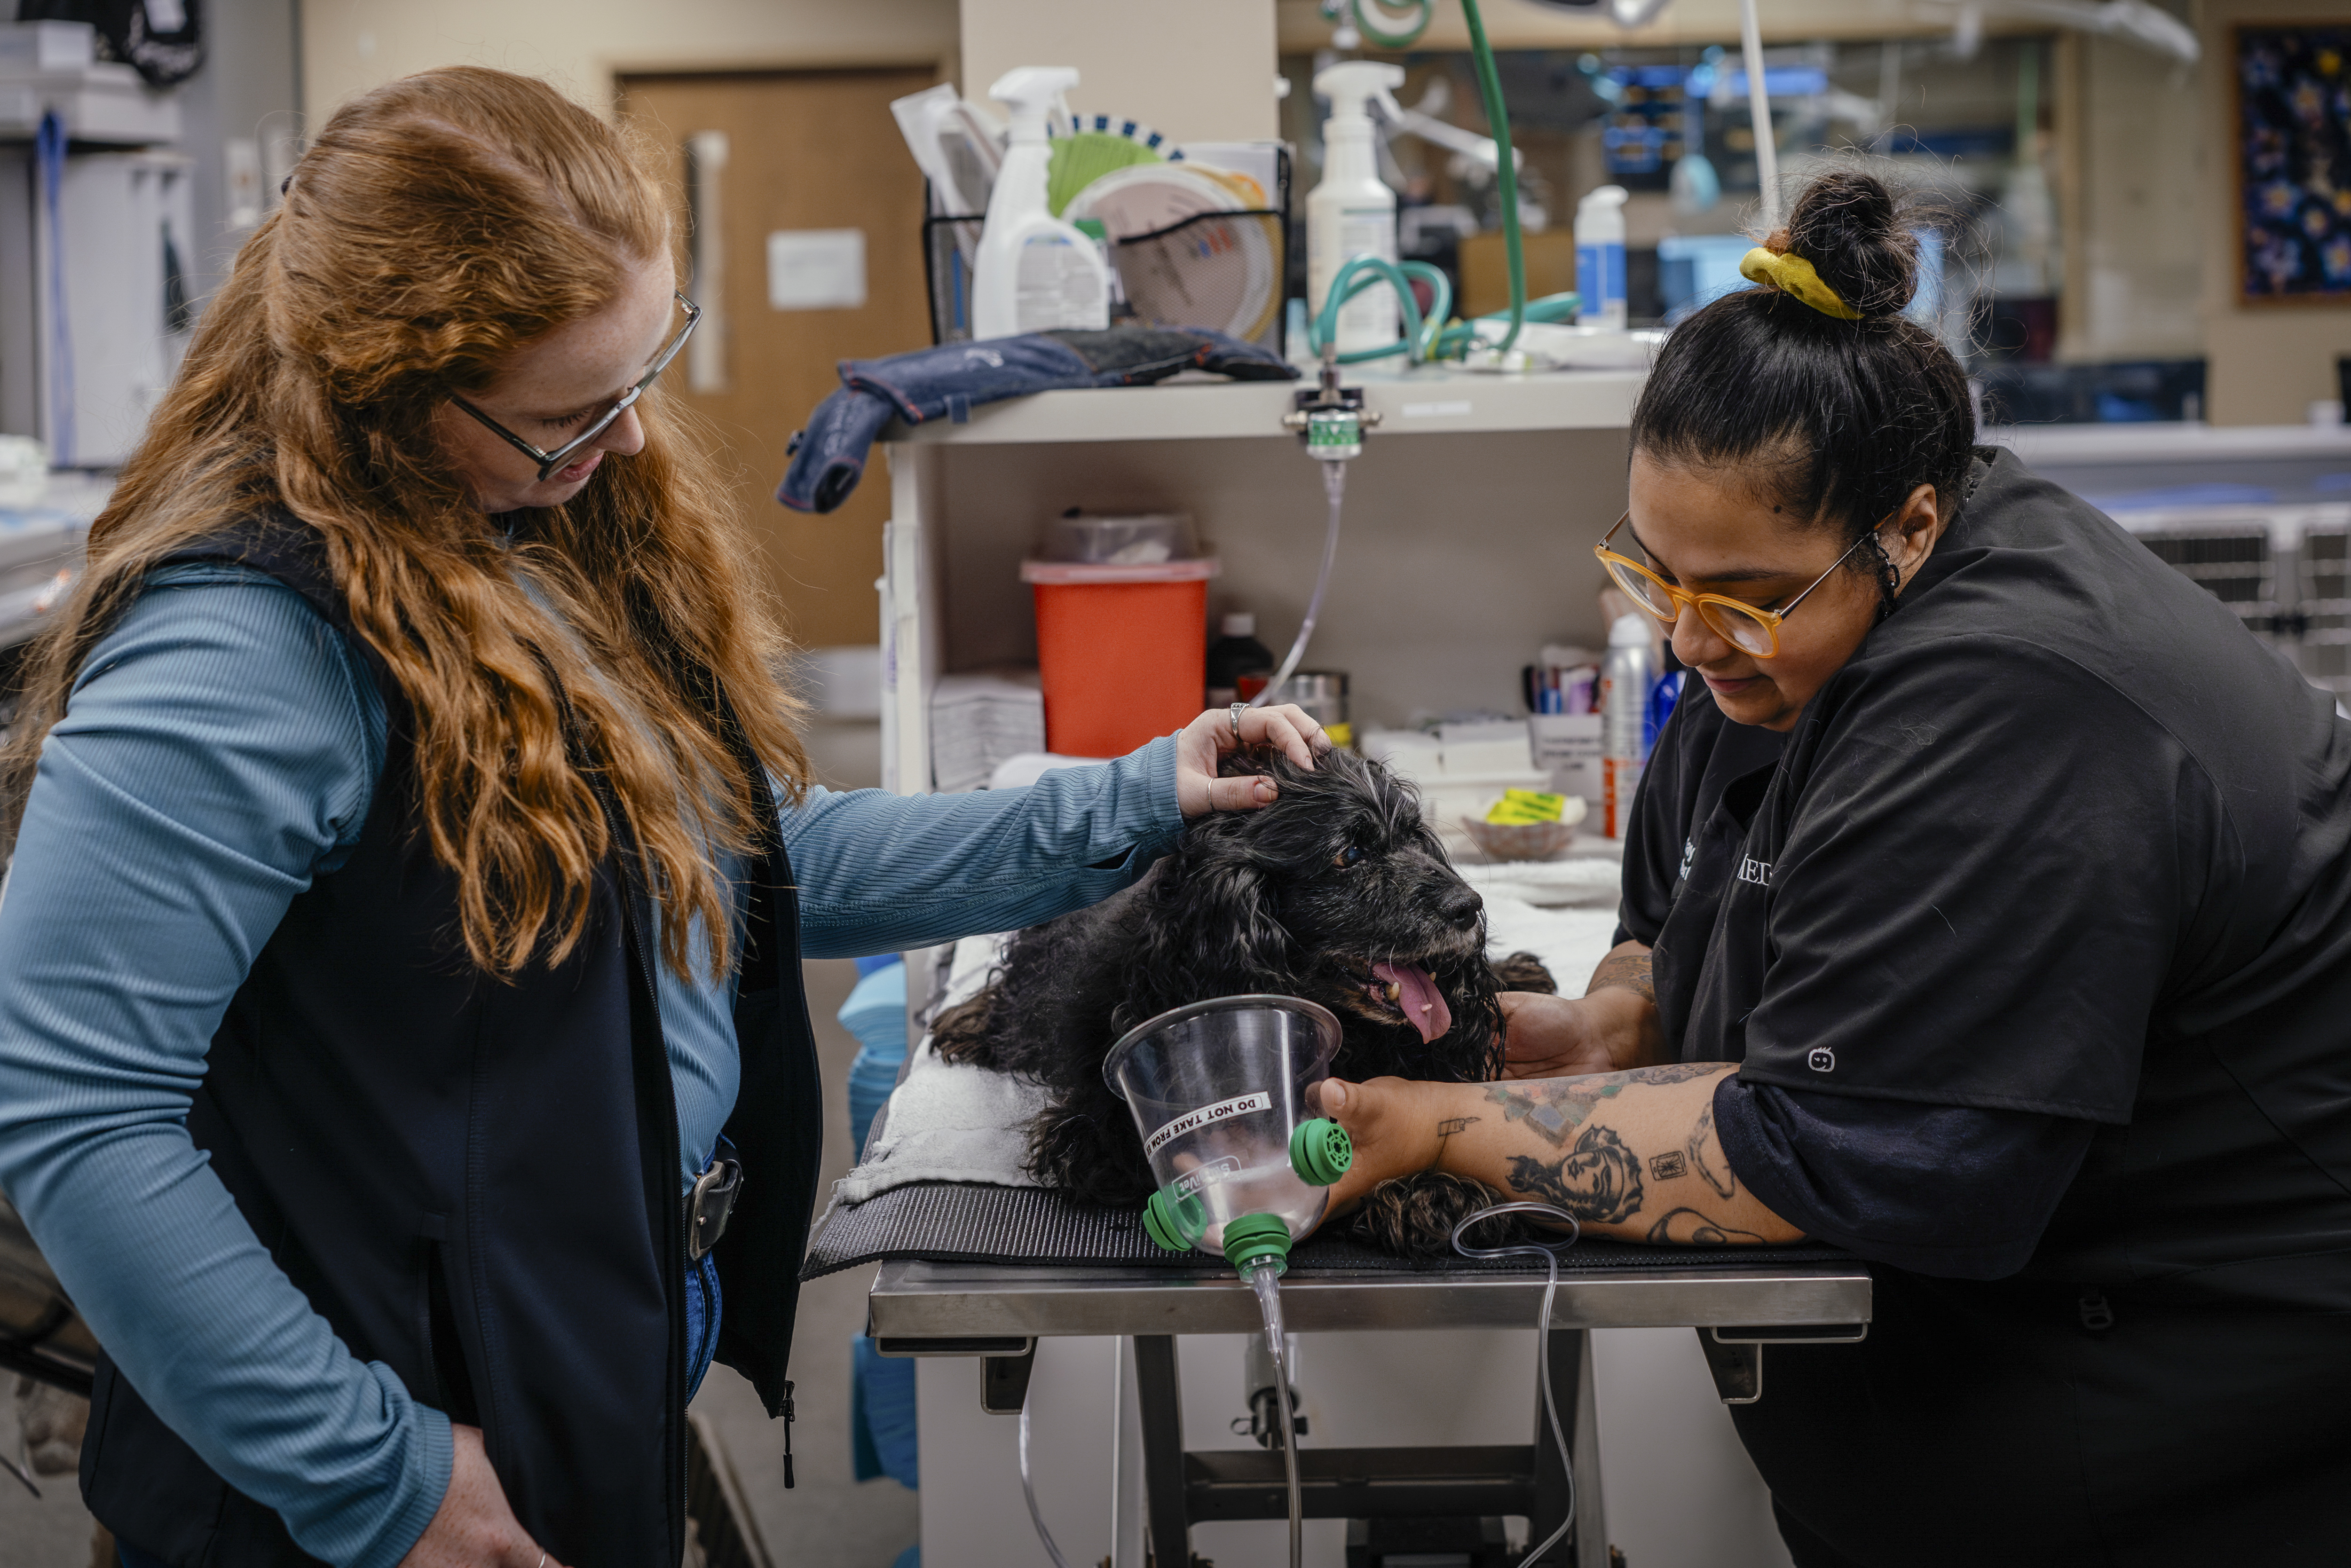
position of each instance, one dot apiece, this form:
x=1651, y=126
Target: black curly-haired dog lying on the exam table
x=1299, y=899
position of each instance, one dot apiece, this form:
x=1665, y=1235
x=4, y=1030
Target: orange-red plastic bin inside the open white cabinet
x=1123, y=652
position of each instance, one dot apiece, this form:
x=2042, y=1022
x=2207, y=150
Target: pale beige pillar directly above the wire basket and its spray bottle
x=1191, y=69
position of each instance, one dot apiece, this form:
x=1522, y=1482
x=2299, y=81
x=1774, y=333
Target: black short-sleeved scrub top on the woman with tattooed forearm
x=2061, y=838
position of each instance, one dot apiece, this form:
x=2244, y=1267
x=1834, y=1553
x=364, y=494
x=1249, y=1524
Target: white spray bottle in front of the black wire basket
x=1033, y=272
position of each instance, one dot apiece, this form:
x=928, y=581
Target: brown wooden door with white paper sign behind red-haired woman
x=812, y=156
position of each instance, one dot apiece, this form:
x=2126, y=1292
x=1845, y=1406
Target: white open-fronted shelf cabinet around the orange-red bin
x=1466, y=544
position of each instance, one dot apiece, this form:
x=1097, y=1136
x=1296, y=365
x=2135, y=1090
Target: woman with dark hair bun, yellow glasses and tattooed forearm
x=1988, y=913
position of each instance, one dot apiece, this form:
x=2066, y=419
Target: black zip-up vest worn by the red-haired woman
x=476, y=1181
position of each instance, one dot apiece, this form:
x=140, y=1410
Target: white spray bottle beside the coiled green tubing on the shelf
x=1353, y=213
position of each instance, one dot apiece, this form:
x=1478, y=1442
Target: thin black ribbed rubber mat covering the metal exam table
x=1029, y=1226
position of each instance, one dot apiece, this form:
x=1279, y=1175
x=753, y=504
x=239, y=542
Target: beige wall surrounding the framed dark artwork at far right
x=2268, y=363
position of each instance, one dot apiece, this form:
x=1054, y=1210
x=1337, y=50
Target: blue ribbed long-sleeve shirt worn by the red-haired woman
x=220, y=753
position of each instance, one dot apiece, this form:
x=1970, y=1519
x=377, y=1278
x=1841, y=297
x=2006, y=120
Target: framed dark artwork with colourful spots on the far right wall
x=2293, y=159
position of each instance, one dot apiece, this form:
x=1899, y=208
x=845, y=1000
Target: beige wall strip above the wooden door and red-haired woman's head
x=351, y=46
